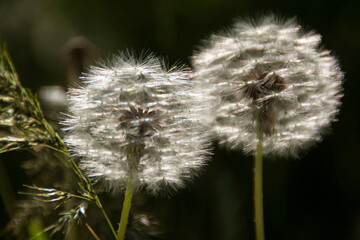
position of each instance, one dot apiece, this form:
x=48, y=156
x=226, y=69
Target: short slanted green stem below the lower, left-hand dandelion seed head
x=126, y=208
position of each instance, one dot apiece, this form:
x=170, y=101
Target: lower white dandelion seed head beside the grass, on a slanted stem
x=136, y=115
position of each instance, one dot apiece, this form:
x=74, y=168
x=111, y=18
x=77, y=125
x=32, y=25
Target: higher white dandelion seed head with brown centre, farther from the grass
x=274, y=70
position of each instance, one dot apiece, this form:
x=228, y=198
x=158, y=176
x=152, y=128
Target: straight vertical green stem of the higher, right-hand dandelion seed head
x=258, y=184
